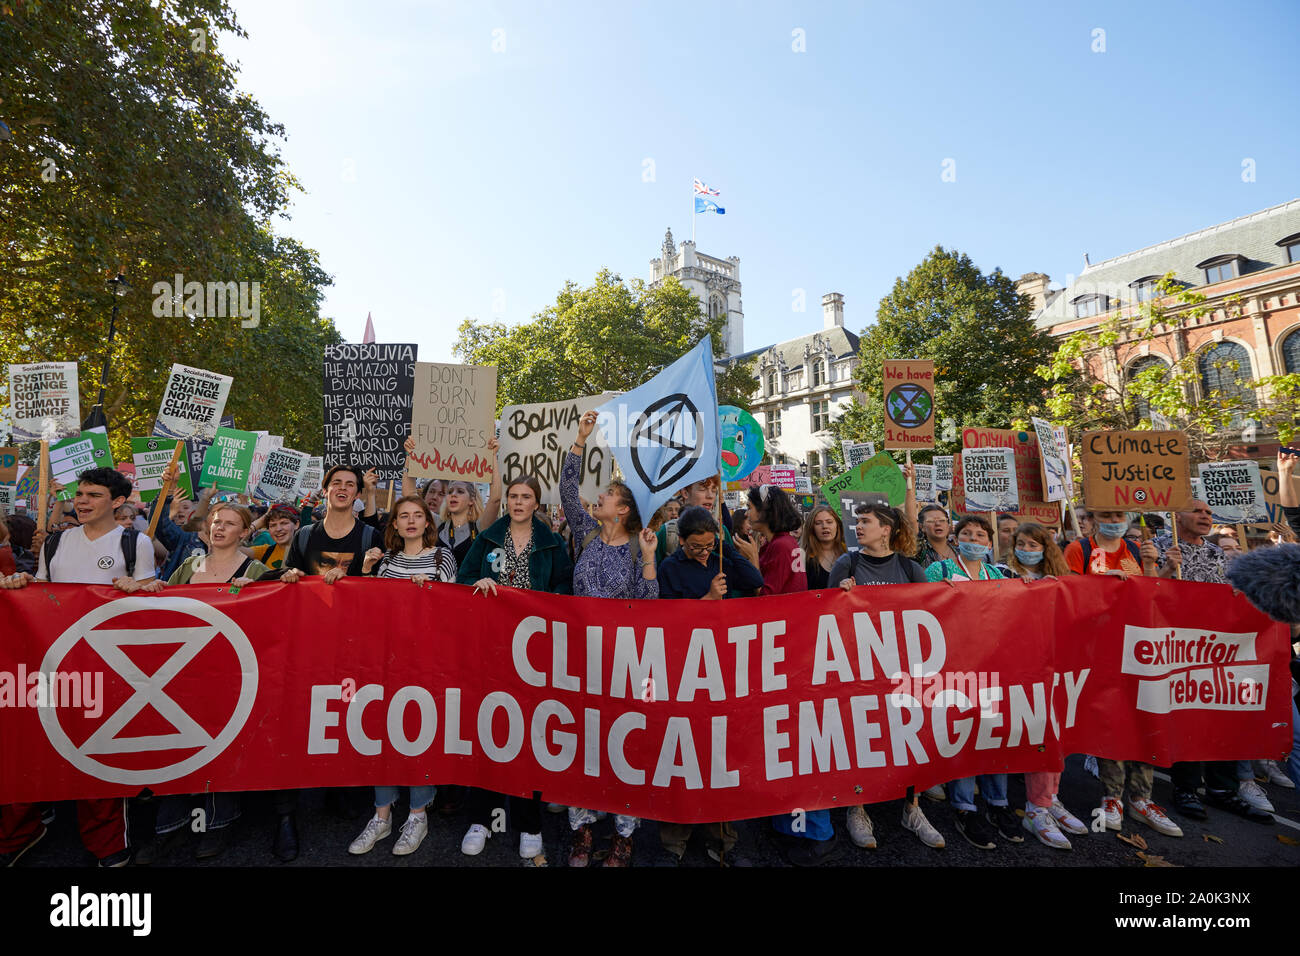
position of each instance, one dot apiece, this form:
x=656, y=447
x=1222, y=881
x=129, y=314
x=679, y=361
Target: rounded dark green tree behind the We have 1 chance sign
x=978, y=332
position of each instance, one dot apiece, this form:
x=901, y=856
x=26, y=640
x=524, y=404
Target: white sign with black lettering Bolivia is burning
x=535, y=440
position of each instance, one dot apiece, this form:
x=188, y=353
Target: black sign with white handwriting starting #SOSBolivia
x=369, y=400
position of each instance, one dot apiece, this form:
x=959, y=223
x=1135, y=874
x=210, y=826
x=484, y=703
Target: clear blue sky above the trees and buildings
x=445, y=180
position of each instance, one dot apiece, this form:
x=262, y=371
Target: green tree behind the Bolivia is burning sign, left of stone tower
x=605, y=338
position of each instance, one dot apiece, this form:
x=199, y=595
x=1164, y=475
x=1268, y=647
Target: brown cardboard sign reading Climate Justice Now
x=1136, y=471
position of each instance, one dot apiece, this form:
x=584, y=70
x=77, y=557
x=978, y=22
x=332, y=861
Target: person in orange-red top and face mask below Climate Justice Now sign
x=1108, y=553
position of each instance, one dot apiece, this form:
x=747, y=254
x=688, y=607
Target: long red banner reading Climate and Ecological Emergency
x=673, y=711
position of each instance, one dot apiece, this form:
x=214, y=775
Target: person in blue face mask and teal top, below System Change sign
x=974, y=552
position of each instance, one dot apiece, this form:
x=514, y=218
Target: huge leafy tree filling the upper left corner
x=133, y=150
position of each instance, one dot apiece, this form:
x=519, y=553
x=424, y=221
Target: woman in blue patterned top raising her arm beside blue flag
x=616, y=560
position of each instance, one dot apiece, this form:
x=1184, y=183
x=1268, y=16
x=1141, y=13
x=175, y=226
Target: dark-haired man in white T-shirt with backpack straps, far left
x=97, y=552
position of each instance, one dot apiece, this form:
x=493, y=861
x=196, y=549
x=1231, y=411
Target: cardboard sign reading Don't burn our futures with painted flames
x=453, y=417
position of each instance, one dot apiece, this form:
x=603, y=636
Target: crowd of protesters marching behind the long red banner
x=695, y=548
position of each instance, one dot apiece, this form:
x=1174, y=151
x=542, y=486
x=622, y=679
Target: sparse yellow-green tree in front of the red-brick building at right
x=1084, y=397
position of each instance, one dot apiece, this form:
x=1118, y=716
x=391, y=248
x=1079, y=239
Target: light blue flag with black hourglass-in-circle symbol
x=665, y=434
